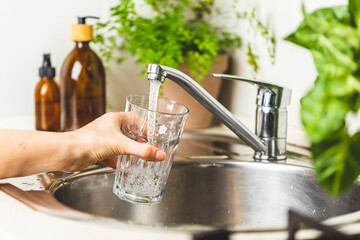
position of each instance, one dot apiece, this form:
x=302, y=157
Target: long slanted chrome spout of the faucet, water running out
x=160, y=72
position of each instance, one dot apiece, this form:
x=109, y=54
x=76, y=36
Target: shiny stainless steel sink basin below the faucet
x=218, y=190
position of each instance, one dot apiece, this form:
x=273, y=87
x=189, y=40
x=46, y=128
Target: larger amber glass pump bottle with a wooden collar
x=82, y=81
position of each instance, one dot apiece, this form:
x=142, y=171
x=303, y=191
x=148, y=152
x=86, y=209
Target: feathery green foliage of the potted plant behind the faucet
x=179, y=32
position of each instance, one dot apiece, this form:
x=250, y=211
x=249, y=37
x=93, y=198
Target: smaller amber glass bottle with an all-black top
x=47, y=99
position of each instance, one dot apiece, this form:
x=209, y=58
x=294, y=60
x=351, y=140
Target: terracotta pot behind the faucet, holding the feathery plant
x=199, y=117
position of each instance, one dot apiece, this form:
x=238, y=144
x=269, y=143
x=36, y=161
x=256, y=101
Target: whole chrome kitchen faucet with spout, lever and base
x=269, y=139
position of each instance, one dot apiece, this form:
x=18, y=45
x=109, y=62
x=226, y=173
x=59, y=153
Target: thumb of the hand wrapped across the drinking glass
x=142, y=150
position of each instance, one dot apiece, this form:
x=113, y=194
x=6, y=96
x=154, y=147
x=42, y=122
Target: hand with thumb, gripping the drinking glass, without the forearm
x=104, y=141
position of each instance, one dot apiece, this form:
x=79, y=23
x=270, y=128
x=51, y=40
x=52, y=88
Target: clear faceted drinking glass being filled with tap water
x=137, y=180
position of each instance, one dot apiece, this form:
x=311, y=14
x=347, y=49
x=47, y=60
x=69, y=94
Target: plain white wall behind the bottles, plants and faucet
x=30, y=28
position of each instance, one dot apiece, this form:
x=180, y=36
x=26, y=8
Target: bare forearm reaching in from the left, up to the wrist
x=25, y=152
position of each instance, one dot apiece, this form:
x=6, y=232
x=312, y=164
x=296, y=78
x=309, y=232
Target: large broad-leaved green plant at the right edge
x=332, y=36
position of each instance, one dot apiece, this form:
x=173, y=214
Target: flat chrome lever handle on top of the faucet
x=269, y=95
